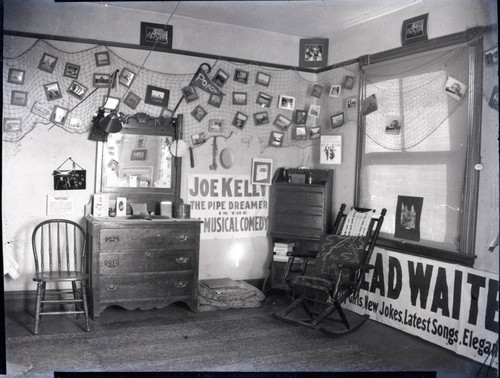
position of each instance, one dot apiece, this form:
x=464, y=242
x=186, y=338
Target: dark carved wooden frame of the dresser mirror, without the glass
x=143, y=124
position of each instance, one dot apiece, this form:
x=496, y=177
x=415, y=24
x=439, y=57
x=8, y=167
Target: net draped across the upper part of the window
x=417, y=95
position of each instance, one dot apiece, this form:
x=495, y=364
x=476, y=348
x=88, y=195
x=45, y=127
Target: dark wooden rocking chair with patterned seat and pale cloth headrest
x=340, y=265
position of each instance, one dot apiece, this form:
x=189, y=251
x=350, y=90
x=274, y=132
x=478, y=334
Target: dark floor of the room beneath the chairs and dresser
x=175, y=339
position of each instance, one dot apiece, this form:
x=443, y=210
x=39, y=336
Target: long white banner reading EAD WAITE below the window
x=447, y=304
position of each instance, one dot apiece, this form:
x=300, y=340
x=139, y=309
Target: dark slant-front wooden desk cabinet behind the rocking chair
x=300, y=212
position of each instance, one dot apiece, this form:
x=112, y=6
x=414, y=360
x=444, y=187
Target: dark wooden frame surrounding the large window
x=473, y=38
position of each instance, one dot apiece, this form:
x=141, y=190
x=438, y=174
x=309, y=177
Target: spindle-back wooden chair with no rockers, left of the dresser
x=59, y=247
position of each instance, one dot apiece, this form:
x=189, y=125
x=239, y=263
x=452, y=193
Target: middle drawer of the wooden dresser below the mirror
x=145, y=261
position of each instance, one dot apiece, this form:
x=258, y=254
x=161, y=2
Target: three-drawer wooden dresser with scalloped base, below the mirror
x=138, y=263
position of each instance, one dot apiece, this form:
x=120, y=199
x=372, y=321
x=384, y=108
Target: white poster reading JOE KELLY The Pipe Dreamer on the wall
x=229, y=206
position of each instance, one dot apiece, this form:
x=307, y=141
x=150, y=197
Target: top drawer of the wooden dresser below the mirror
x=142, y=239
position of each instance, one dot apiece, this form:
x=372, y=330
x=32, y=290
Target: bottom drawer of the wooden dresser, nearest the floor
x=146, y=286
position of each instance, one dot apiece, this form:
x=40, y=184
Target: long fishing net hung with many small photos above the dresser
x=288, y=82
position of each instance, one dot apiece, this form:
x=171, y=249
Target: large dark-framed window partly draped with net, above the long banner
x=422, y=142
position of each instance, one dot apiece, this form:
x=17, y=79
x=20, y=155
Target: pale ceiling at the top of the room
x=306, y=19
